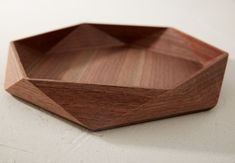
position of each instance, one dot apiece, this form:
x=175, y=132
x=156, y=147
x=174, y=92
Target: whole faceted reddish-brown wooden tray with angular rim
x=102, y=76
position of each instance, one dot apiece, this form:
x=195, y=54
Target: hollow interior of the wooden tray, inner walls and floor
x=157, y=58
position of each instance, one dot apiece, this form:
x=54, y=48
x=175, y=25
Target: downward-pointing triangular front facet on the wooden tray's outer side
x=95, y=106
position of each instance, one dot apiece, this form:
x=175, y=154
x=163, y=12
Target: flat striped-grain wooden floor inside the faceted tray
x=119, y=66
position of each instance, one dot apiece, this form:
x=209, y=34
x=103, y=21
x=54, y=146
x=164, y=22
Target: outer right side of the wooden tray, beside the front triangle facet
x=199, y=93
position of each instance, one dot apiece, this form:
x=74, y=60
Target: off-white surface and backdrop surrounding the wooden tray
x=28, y=134
